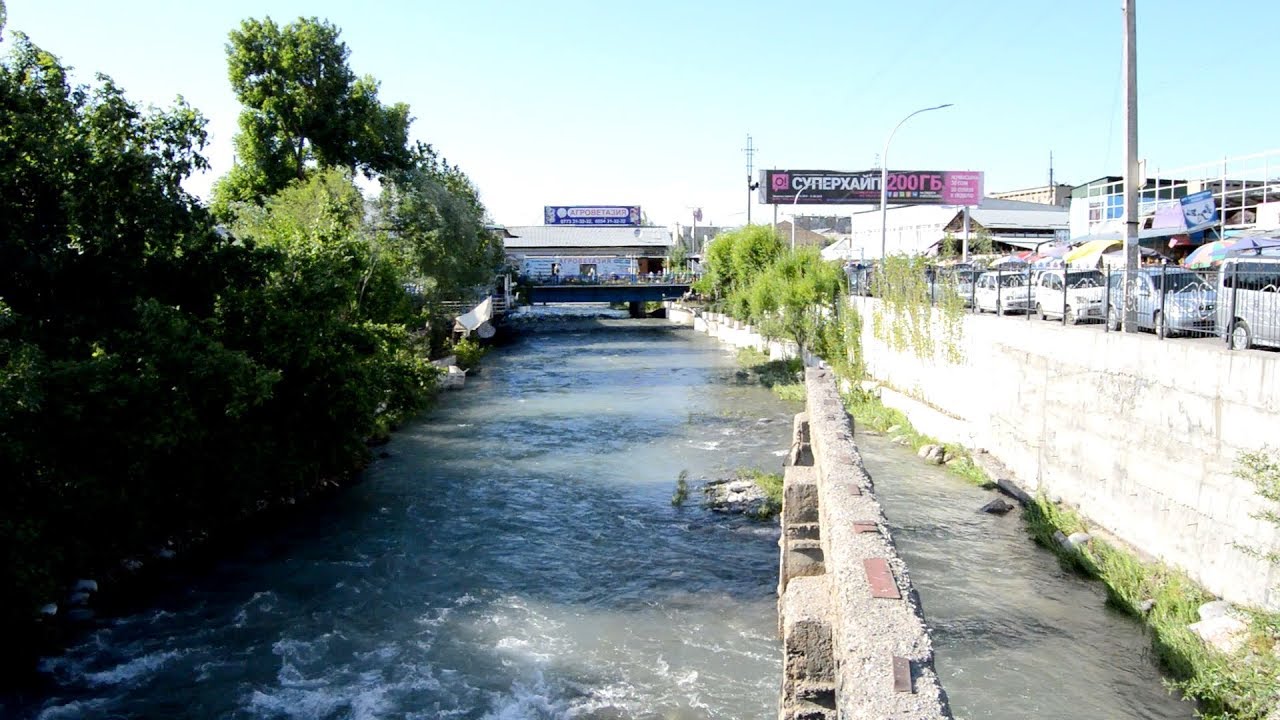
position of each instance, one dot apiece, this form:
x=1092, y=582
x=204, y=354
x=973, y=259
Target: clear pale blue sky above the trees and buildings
x=570, y=103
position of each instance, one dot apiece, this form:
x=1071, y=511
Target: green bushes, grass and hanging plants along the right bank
x=1245, y=685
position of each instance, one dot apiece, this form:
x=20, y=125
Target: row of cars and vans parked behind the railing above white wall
x=1241, y=300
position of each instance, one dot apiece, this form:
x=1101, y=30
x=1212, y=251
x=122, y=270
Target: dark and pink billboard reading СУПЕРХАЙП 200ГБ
x=904, y=188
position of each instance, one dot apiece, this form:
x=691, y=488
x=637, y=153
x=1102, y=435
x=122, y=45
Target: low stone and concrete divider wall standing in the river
x=854, y=640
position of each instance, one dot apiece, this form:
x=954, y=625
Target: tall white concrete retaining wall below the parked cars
x=1141, y=435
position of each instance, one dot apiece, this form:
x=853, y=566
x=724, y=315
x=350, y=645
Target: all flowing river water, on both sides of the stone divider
x=516, y=555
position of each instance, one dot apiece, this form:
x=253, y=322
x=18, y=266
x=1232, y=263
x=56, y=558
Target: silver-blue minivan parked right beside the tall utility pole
x=1167, y=300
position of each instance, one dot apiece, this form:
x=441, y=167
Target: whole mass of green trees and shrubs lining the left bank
x=170, y=370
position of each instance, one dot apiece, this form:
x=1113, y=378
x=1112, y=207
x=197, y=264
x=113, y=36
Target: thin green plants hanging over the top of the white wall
x=917, y=316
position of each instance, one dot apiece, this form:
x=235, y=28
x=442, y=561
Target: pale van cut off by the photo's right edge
x=1249, y=302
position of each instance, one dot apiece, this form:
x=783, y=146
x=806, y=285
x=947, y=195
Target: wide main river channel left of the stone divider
x=515, y=555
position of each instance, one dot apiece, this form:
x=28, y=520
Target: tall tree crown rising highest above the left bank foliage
x=304, y=108
